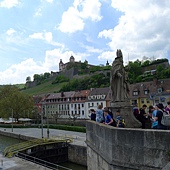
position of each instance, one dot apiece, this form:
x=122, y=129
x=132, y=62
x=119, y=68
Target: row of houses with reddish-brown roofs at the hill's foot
x=79, y=103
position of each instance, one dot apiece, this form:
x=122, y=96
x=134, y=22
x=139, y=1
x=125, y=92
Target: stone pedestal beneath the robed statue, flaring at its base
x=126, y=111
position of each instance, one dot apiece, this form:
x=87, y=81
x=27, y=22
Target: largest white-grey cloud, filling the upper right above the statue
x=143, y=29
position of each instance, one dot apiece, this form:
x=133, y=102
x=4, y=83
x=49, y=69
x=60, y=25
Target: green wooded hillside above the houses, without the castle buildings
x=97, y=77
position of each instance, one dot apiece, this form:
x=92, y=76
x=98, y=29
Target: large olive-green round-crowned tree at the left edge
x=12, y=100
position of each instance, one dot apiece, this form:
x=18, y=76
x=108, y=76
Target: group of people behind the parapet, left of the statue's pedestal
x=105, y=116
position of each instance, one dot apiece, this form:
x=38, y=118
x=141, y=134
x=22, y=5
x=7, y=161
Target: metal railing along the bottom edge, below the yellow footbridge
x=41, y=162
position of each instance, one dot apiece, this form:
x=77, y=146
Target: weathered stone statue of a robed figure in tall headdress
x=119, y=80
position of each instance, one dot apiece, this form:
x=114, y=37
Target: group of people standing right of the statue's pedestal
x=153, y=116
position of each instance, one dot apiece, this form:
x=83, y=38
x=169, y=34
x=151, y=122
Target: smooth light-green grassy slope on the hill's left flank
x=44, y=88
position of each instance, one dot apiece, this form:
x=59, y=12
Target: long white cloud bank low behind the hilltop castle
x=18, y=73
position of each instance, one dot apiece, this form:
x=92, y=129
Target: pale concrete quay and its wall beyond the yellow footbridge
x=77, y=151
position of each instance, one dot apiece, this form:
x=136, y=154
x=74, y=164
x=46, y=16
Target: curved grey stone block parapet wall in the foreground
x=110, y=148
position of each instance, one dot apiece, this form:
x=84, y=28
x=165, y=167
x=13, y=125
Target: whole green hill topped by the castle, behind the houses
x=77, y=75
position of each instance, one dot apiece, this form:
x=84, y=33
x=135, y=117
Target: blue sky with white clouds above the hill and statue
x=36, y=34
